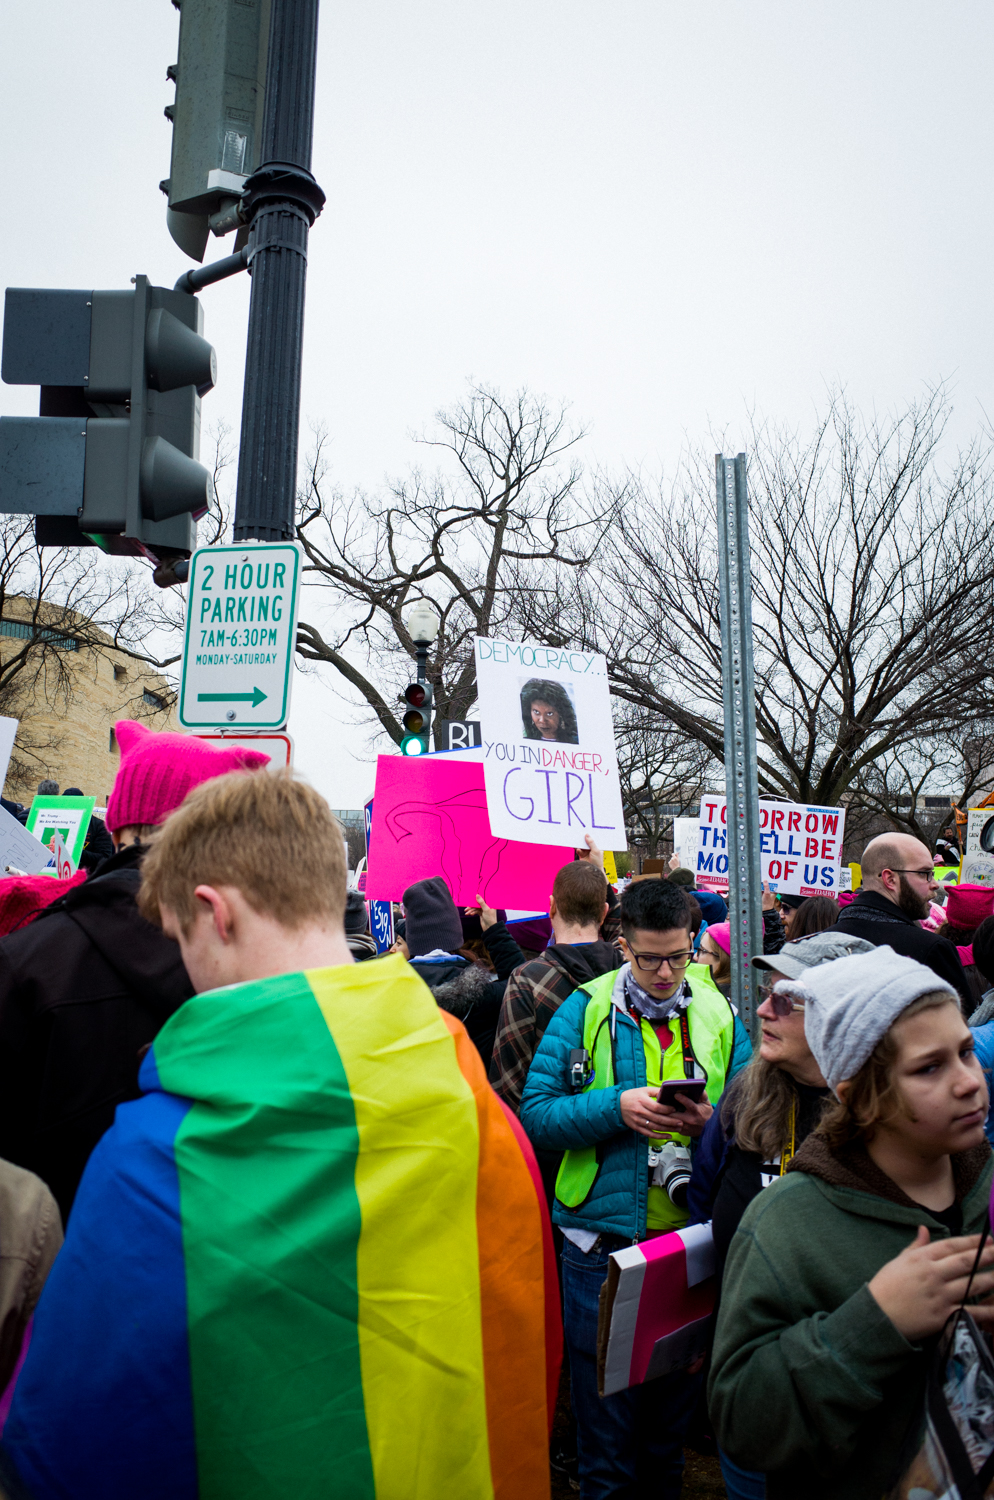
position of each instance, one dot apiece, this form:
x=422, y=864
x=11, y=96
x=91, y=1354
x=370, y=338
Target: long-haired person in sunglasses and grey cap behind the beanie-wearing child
x=764, y=1118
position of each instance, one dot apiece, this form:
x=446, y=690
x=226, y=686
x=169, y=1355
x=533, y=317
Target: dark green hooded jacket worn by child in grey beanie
x=810, y=1379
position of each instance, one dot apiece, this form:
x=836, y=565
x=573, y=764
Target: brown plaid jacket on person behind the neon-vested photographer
x=534, y=994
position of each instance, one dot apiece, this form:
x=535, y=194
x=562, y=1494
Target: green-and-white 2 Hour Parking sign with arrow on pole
x=241, y=637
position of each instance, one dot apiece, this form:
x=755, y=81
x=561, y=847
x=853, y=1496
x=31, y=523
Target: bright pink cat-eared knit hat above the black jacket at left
x=158, y=770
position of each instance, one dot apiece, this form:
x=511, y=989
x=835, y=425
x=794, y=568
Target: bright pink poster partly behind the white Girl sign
x=431, y=818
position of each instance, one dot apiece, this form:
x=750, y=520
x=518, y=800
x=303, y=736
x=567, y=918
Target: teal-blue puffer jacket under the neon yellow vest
x=558, y=1120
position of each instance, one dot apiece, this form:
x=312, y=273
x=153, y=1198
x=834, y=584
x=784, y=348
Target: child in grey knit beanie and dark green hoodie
x=845, y=1271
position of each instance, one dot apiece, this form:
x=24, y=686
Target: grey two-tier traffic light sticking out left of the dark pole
x=113, y=455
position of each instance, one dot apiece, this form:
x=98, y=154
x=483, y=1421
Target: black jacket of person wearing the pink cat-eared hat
x=83, y=991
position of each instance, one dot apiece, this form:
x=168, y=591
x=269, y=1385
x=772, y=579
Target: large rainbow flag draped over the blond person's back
x=314, y=1261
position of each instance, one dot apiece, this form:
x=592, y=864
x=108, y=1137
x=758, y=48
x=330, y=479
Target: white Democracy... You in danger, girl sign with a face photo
x=548, y=745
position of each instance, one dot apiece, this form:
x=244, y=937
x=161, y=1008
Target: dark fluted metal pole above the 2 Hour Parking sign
x=281, y=203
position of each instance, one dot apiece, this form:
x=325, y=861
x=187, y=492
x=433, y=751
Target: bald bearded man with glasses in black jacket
x=899, y=884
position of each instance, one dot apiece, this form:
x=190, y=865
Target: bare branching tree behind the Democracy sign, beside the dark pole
x=512, y=499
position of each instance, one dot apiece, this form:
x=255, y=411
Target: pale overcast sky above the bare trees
x=665, y=214
